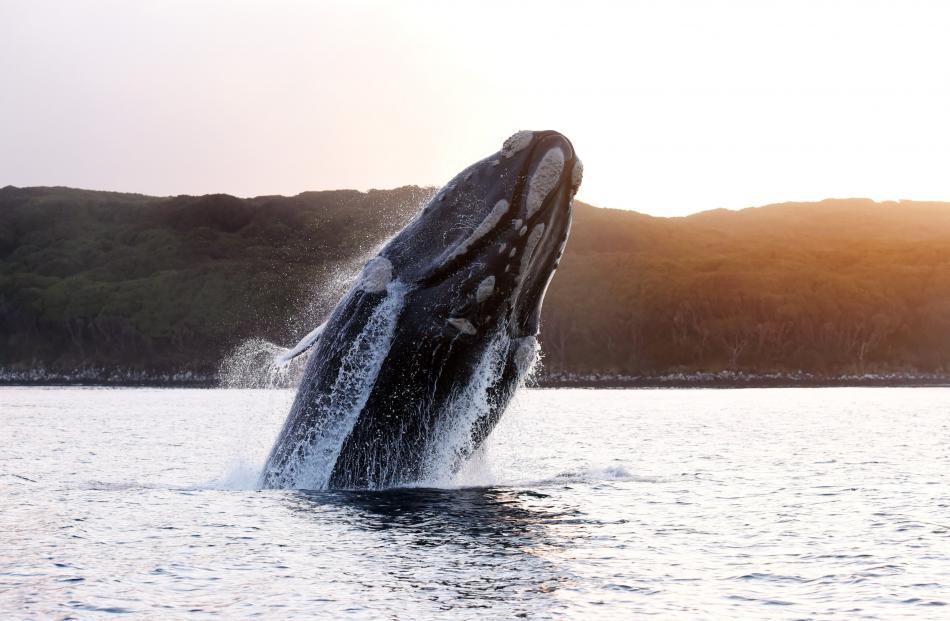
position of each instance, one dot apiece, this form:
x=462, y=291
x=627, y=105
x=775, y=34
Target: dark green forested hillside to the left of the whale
x=99, y=279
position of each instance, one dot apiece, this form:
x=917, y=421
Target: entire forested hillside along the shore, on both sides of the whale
x=159, y=285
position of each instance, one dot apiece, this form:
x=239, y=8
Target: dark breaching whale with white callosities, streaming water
x=421, y=357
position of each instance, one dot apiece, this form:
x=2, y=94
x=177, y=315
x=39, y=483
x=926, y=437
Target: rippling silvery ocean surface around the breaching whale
x=677, y=504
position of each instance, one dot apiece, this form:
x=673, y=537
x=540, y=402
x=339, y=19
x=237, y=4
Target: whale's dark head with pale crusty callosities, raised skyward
x=483, y=250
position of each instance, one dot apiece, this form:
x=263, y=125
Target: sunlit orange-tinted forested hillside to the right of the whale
x=829, y=288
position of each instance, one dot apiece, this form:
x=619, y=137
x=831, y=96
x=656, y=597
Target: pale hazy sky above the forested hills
x=675, y=107
